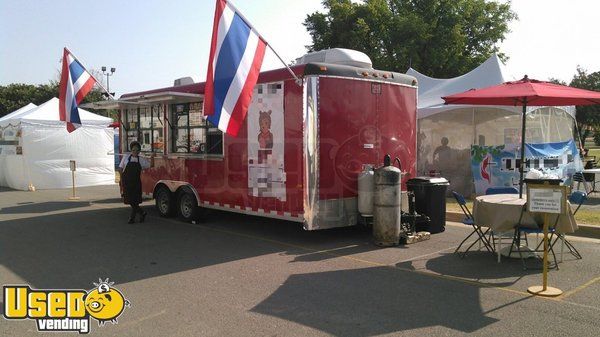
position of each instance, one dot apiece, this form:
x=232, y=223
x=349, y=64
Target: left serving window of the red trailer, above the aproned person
x=145, y=124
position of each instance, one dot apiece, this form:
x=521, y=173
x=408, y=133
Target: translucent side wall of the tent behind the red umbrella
x=483, y=126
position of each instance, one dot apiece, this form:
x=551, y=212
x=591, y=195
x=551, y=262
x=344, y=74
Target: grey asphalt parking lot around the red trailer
x=238, y=275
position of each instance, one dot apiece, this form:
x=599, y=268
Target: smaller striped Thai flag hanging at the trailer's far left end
x=75, y=83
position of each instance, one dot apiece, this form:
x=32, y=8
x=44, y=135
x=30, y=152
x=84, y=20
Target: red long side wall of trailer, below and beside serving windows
x=224, y=181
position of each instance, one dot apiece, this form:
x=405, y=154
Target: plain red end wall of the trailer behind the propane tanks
x=353, y=113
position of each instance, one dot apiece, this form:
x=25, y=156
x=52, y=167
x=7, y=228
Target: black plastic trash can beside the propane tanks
x=430, y=200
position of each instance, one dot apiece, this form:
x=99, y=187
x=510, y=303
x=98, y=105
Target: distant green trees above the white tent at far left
x=17, y=95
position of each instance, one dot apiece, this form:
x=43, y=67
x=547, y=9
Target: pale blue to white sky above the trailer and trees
x=153, y=42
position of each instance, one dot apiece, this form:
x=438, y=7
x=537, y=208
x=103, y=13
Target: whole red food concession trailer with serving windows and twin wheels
x=298, y=155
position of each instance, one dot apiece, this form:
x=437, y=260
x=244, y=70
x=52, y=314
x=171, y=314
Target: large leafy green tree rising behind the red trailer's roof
x=443, y=38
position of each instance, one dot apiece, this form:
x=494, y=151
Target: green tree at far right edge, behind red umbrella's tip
x=588, y=117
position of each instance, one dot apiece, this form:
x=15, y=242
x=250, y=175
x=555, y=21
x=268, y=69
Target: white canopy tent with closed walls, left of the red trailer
x=36, y=149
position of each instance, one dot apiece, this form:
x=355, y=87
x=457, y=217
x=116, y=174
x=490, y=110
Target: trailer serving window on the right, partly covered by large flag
x=191, y=133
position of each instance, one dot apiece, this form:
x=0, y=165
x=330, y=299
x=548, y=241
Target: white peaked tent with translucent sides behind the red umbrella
x=464, y=125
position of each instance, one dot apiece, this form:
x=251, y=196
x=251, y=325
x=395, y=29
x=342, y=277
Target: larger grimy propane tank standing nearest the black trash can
x=387, y=205
